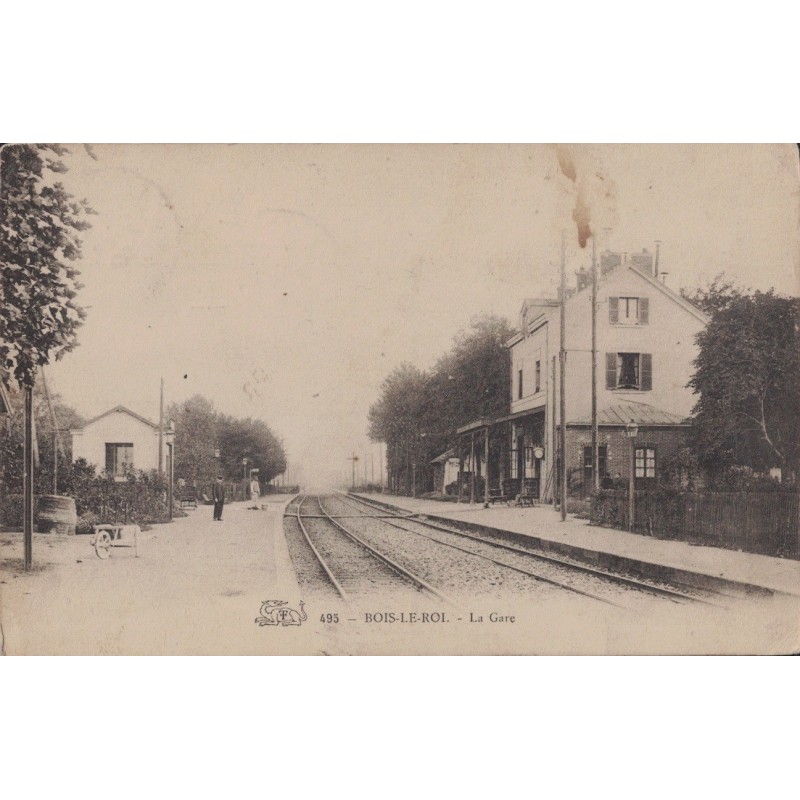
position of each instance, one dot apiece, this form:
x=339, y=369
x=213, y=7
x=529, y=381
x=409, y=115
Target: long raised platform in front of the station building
x=701, y=566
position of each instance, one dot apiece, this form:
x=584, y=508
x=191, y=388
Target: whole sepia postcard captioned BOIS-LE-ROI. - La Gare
x=399, y=399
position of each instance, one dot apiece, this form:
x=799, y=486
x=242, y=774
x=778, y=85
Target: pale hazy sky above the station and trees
x=285, y=282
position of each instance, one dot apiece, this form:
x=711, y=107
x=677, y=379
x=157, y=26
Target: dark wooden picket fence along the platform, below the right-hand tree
x=757, y=522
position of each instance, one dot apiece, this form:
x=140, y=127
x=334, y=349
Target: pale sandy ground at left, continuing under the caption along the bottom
x=198, y=586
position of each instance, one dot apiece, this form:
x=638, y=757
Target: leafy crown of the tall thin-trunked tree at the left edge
x=40, y=221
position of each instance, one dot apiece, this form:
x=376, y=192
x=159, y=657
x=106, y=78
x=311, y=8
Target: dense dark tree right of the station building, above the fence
x=747, y=376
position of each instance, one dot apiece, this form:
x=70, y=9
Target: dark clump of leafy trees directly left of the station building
x=418, y=411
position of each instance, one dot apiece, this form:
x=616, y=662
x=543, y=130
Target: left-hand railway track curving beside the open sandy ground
x=352, y=566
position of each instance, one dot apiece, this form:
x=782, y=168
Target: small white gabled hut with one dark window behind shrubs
x=117, y=440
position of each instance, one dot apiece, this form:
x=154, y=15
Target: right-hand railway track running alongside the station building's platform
x=411, y=524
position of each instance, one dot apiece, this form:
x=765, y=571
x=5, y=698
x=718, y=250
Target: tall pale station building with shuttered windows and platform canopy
x=645, y=351
